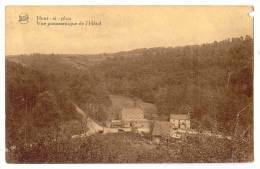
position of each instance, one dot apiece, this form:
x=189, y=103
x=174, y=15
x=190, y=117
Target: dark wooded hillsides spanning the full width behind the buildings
x=213, y=82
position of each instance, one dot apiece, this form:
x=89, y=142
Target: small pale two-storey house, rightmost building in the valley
x=180, y=121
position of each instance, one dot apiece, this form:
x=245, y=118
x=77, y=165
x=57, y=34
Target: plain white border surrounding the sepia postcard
x=256, y=5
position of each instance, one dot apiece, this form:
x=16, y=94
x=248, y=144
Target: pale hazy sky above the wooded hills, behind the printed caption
x=122, y=28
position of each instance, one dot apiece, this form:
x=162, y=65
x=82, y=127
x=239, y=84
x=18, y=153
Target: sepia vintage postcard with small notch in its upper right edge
x=129, y=84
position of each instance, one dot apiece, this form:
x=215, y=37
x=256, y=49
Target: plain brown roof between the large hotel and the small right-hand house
x=161, y=128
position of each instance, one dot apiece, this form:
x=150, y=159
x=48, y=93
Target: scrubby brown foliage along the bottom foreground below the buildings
x=131, y=148
